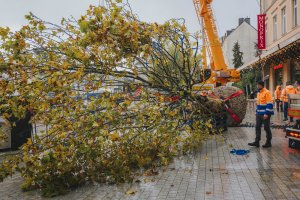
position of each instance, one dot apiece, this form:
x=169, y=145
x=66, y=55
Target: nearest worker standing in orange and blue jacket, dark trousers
x=264, y=111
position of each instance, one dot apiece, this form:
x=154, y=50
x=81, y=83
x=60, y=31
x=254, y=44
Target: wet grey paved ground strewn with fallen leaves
x=211, y=173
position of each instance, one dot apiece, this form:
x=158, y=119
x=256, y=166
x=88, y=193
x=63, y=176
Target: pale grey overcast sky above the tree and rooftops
x=227, y=12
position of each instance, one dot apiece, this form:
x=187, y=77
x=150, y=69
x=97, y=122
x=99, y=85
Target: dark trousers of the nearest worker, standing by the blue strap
x=259, y=121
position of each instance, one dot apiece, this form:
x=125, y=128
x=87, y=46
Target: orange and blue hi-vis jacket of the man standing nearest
x=264, y=103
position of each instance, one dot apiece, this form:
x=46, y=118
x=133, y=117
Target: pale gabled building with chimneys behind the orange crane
x=246, y=35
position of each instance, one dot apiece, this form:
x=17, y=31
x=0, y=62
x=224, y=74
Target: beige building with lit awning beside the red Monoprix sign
x=280, y=61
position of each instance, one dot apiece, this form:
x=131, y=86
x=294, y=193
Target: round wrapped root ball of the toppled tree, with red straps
x=237, y=104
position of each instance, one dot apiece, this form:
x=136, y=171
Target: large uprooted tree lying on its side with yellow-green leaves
x=53, y=66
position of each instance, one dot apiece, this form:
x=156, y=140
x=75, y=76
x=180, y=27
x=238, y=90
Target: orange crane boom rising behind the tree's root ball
x=220, y=74
